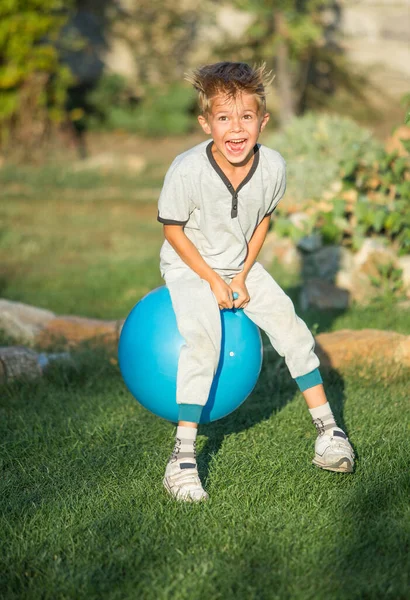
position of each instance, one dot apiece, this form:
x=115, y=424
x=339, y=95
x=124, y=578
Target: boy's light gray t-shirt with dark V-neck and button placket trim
x=218, y=219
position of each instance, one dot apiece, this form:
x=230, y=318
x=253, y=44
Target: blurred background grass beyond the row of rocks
x=87, y=243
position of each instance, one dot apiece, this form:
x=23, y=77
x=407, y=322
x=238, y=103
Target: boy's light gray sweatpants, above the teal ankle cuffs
x=199, y=322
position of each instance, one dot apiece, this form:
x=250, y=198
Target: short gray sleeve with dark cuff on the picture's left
x=174, y=201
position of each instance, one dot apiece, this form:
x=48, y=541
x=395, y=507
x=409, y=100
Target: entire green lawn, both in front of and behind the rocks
x=83, y=512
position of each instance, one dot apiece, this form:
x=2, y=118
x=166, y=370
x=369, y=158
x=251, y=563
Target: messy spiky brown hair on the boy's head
x=230, y=78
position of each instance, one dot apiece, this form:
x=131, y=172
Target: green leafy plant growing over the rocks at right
x=372, y=199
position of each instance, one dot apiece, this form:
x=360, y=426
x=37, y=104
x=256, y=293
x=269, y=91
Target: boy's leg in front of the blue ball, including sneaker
x=199, y=323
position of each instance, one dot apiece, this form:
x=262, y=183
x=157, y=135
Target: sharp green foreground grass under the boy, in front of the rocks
x=84, y=515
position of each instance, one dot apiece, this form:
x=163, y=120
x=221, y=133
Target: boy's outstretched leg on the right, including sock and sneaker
x=272, y=310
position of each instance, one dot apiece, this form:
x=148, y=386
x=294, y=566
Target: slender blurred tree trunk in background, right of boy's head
x=284, y=76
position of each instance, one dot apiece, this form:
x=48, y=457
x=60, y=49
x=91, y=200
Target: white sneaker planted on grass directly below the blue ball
x=181, y=480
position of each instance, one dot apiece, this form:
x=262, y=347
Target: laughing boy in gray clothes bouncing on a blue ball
x=215, y=207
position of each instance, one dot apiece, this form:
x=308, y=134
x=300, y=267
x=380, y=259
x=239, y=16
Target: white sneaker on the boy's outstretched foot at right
x=334, y=452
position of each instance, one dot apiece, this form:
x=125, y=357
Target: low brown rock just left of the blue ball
x=73, y=330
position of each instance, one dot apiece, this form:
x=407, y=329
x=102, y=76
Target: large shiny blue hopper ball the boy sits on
x=149, y=350
